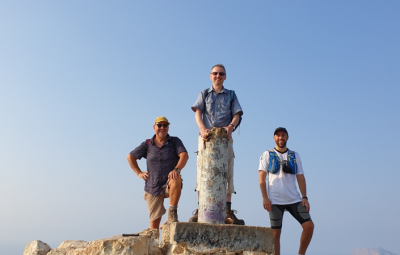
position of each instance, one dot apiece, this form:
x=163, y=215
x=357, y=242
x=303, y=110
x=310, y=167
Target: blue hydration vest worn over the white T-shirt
x=288, y=166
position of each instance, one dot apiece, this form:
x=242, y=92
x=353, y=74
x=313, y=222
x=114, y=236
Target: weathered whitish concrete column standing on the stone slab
x=214, y=170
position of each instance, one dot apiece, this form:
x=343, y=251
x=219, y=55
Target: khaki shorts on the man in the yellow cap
x=155, y=204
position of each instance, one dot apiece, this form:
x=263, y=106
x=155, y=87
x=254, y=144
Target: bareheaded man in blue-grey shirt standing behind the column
x=218, y=107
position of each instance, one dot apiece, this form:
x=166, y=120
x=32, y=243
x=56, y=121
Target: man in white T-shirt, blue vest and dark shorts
x=283, y=169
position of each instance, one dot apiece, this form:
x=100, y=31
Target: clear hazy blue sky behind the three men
x=81, y=83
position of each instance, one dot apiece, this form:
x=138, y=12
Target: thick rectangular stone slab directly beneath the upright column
x=201, y=238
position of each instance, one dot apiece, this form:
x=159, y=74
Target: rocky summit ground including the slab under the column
x=177, y=238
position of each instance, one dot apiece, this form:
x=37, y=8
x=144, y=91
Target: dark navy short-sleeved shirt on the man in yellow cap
x=160, y=162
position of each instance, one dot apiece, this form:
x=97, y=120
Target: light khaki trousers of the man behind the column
x=230, y=188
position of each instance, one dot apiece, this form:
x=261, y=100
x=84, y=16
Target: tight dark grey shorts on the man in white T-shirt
x=297, y=210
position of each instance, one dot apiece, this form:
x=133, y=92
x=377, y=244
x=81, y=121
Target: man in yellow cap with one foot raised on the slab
x=165, y=157
